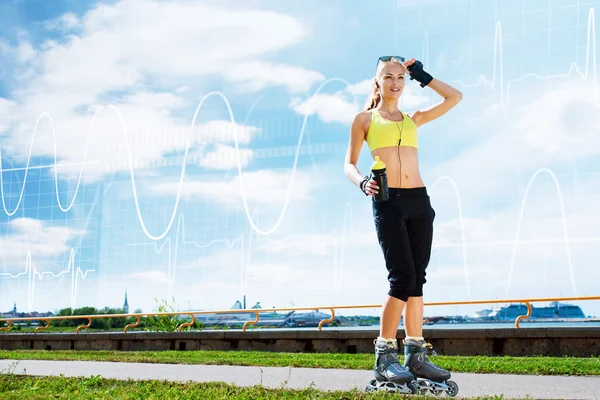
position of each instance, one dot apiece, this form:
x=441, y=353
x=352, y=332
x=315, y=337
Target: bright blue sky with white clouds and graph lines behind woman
x=193, y=150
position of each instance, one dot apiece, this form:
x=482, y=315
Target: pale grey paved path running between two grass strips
x=470, y=385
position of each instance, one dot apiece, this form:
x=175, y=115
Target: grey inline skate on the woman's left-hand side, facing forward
x=390, y=375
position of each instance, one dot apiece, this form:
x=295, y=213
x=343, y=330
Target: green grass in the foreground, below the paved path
x=27, y=387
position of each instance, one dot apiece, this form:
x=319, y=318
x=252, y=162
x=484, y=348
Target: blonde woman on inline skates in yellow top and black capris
x=404, y=222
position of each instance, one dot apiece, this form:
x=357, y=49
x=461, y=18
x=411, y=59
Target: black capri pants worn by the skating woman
x=404, y=227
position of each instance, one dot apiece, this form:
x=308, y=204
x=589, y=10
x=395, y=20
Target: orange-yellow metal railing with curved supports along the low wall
x=257, y=312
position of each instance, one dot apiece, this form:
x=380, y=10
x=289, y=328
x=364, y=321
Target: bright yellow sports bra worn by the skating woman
x=384, y=133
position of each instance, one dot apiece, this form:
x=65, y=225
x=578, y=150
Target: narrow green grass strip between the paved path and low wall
x=479, y=364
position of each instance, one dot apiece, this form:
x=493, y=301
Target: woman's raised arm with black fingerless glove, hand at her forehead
x=451, y=96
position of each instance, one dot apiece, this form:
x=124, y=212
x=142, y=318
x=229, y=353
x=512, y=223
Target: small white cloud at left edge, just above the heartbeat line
x=38, y=237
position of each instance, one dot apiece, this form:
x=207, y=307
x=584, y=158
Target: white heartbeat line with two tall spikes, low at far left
x=32, y=273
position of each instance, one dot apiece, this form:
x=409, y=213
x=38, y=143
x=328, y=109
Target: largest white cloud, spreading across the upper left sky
x=117, y=51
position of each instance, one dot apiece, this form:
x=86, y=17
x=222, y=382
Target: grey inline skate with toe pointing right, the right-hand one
x=430, y=379
